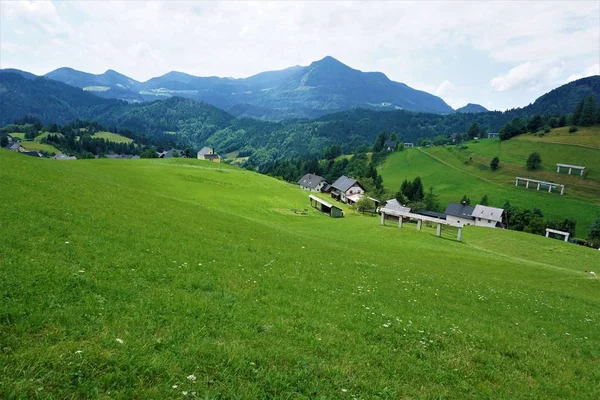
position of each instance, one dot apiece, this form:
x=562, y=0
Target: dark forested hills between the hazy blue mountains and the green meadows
x=194, y=124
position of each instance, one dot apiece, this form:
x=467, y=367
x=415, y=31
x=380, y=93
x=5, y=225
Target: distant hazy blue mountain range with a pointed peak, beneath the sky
x=323, y=87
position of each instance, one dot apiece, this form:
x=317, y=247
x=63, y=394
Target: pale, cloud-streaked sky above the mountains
x=498, y=54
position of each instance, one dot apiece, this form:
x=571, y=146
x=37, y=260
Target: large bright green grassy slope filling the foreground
x=205, y=271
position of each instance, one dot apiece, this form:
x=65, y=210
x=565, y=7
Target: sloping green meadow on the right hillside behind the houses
x=454, y=172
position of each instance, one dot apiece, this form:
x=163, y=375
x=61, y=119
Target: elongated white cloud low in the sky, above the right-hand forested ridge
x=530, y=74
